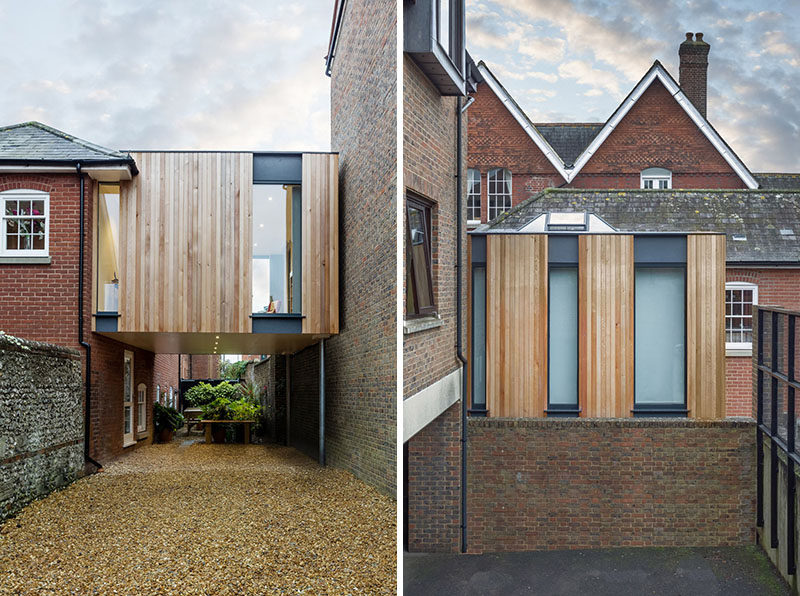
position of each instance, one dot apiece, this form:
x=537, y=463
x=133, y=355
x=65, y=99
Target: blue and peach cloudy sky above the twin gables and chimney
x=575, y=60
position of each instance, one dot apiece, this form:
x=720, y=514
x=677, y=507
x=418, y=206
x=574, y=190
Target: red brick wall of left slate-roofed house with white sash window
x=40, y=302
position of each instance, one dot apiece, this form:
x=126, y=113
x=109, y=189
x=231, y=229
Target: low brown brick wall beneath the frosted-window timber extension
x=576, y=483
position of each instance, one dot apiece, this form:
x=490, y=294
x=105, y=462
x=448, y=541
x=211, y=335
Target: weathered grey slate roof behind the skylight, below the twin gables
x=769, y=220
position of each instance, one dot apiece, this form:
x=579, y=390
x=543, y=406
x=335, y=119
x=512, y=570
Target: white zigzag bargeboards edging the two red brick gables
x=570, y=170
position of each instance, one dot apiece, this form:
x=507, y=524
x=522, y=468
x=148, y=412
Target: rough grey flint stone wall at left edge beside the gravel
x=41, y=420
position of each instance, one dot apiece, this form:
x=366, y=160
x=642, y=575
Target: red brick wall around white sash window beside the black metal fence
x=776, y=287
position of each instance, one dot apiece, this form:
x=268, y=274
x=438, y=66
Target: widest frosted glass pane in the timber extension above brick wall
x=660, y=373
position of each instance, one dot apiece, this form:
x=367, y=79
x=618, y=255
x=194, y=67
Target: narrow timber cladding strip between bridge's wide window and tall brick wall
x=320, y=192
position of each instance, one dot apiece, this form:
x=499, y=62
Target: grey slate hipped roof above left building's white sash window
x=34, y=141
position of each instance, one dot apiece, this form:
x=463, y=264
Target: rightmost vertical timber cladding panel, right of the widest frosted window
x=705, y=328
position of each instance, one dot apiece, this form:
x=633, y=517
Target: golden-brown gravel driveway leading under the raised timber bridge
x=205, y=519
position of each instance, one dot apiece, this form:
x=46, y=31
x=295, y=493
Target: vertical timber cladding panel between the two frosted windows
x=606, y=355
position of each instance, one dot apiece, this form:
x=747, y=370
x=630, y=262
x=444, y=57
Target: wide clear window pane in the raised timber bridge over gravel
x=271, y=234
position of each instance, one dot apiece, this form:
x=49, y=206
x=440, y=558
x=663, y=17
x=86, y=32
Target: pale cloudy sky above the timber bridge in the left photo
x=170, y=74
